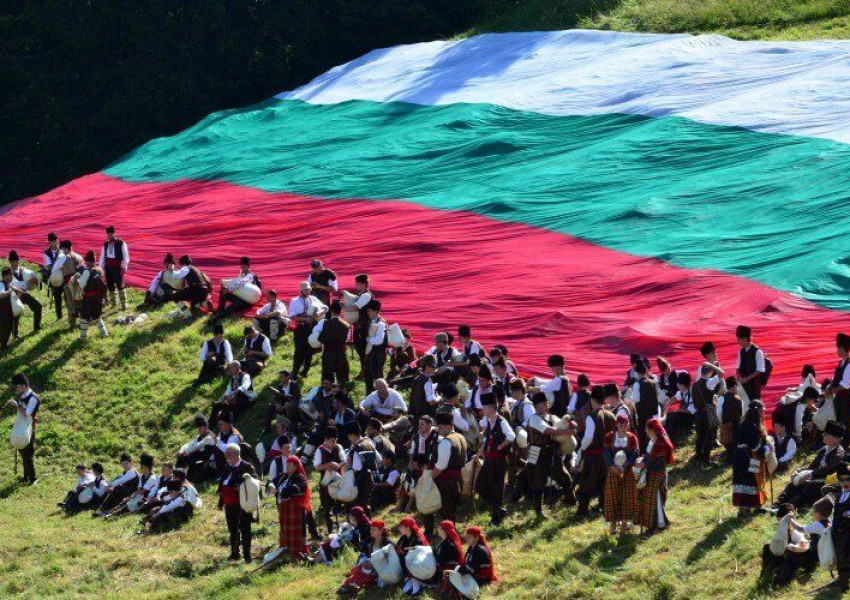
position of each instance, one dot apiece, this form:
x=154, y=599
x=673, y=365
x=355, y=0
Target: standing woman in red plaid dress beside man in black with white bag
x=293, y=502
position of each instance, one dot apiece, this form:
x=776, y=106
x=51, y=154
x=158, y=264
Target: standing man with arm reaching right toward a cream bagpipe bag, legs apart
x=544, y=458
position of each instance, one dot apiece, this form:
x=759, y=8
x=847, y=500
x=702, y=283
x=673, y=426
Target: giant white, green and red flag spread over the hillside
x=589, y=193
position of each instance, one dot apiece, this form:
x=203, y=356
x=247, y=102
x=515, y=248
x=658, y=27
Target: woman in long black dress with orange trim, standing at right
x=749, y=467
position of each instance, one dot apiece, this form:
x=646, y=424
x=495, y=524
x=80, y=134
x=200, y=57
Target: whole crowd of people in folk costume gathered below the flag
x=436, y=430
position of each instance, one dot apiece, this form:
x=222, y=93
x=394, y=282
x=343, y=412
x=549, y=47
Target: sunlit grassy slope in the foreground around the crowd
x=131, y=392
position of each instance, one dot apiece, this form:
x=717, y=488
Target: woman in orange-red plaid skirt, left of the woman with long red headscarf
x=620, y=453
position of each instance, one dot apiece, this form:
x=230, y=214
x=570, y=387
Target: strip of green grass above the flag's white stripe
x=740, y=19
